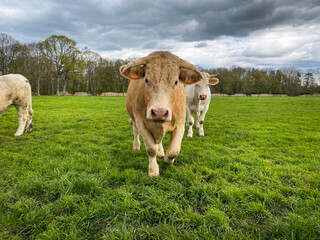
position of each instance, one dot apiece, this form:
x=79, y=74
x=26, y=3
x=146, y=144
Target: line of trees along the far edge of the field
x=56, y=66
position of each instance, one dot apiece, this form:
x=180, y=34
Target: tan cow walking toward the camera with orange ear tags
x=156, y=103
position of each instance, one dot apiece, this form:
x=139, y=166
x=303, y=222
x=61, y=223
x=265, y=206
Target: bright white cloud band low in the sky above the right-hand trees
x=277, y=47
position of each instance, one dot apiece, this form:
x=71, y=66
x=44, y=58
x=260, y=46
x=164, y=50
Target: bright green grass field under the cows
x=255, y=175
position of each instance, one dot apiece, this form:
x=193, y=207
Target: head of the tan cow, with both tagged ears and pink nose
x=163, y=73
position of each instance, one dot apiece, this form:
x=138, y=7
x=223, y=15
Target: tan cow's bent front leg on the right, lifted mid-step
x=174, y=144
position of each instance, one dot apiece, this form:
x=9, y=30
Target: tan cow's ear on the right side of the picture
x=189, y=74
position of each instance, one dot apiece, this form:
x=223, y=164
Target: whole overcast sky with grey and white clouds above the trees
x=208, y=33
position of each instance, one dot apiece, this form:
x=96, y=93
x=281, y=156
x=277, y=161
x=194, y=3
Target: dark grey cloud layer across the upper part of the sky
x=109, y=25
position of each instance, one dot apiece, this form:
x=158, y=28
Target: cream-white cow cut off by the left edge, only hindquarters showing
x=15, y=90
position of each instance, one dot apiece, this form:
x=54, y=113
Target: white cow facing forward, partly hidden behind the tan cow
x=198, y=100
